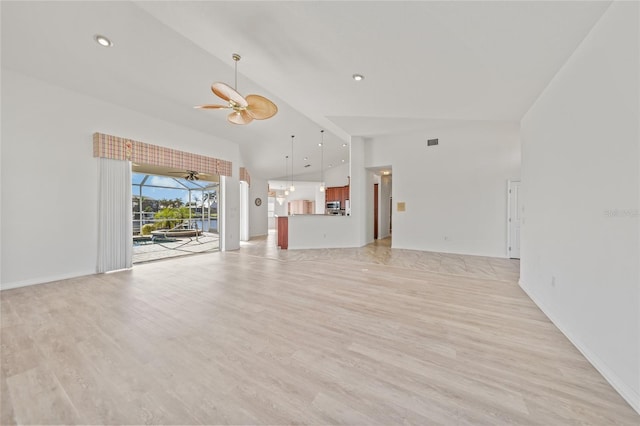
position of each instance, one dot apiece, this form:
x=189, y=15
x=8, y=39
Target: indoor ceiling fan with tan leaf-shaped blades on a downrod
x=245, y=109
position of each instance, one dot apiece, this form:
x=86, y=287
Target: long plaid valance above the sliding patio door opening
x=114, y=147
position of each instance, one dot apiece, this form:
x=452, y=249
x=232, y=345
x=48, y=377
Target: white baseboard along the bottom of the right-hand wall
x=629, y=394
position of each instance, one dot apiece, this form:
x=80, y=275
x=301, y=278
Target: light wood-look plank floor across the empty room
x=258, y=336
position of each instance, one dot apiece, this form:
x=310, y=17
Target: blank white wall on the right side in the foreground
x=580, y=189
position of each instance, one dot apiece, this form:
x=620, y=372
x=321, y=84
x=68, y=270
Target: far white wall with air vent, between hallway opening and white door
x=456, y=192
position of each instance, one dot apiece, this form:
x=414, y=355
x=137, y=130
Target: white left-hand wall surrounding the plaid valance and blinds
x=49, y=174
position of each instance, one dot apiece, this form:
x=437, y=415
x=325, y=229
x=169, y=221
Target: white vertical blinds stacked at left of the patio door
x=115, y=227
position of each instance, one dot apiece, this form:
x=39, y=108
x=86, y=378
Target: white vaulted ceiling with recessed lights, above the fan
x=425, y=63
